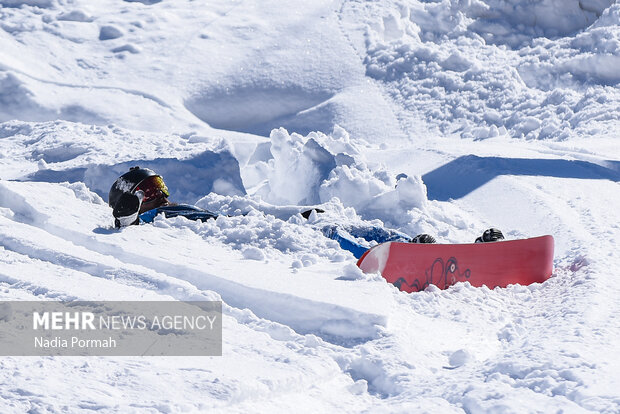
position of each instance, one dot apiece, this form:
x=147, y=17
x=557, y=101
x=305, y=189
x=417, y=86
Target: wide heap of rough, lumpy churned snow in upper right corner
x=447, y=68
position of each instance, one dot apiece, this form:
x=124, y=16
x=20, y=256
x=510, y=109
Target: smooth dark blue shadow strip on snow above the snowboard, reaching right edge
x=463, y=175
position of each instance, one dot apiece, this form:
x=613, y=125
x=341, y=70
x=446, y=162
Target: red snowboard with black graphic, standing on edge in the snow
x=412, y=267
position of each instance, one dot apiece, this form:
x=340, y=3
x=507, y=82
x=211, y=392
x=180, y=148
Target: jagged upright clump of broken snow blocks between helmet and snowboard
x=318, y=168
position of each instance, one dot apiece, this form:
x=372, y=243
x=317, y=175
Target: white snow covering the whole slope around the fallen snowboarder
x=442, y=117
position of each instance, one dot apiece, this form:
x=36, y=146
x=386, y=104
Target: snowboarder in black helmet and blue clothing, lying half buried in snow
x=139, y=195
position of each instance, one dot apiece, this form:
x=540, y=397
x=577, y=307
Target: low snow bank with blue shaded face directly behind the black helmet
x=62, y=151
